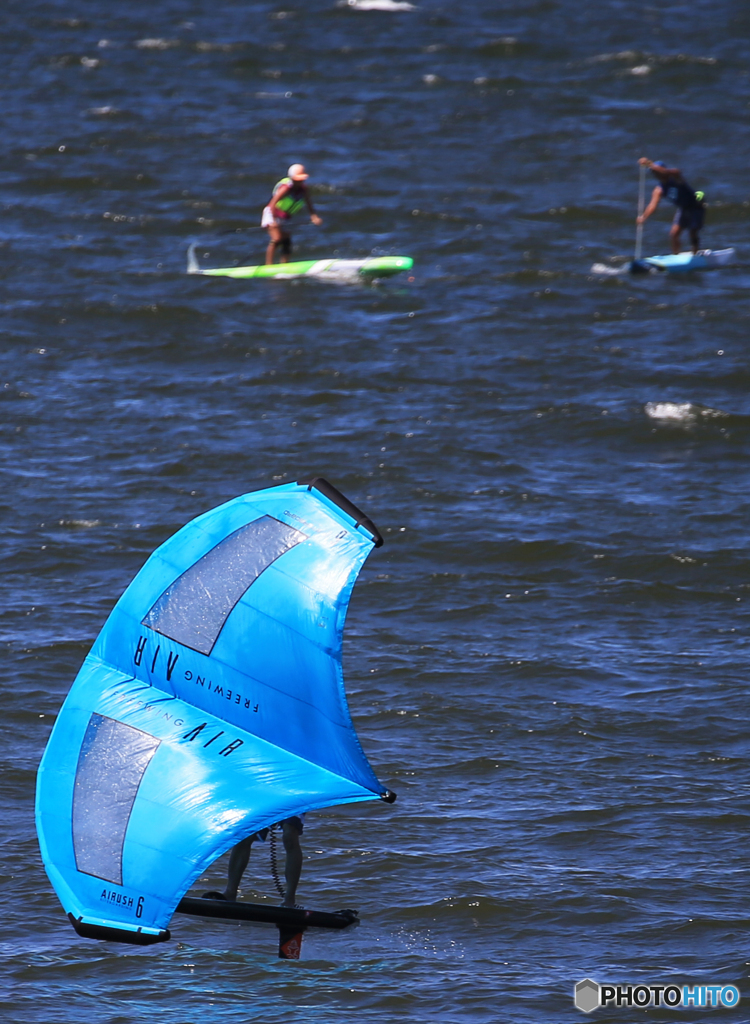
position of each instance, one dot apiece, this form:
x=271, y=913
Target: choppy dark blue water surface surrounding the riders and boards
x=549, y=658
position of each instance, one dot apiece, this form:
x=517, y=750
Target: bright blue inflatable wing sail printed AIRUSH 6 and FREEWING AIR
x=211, y=706
